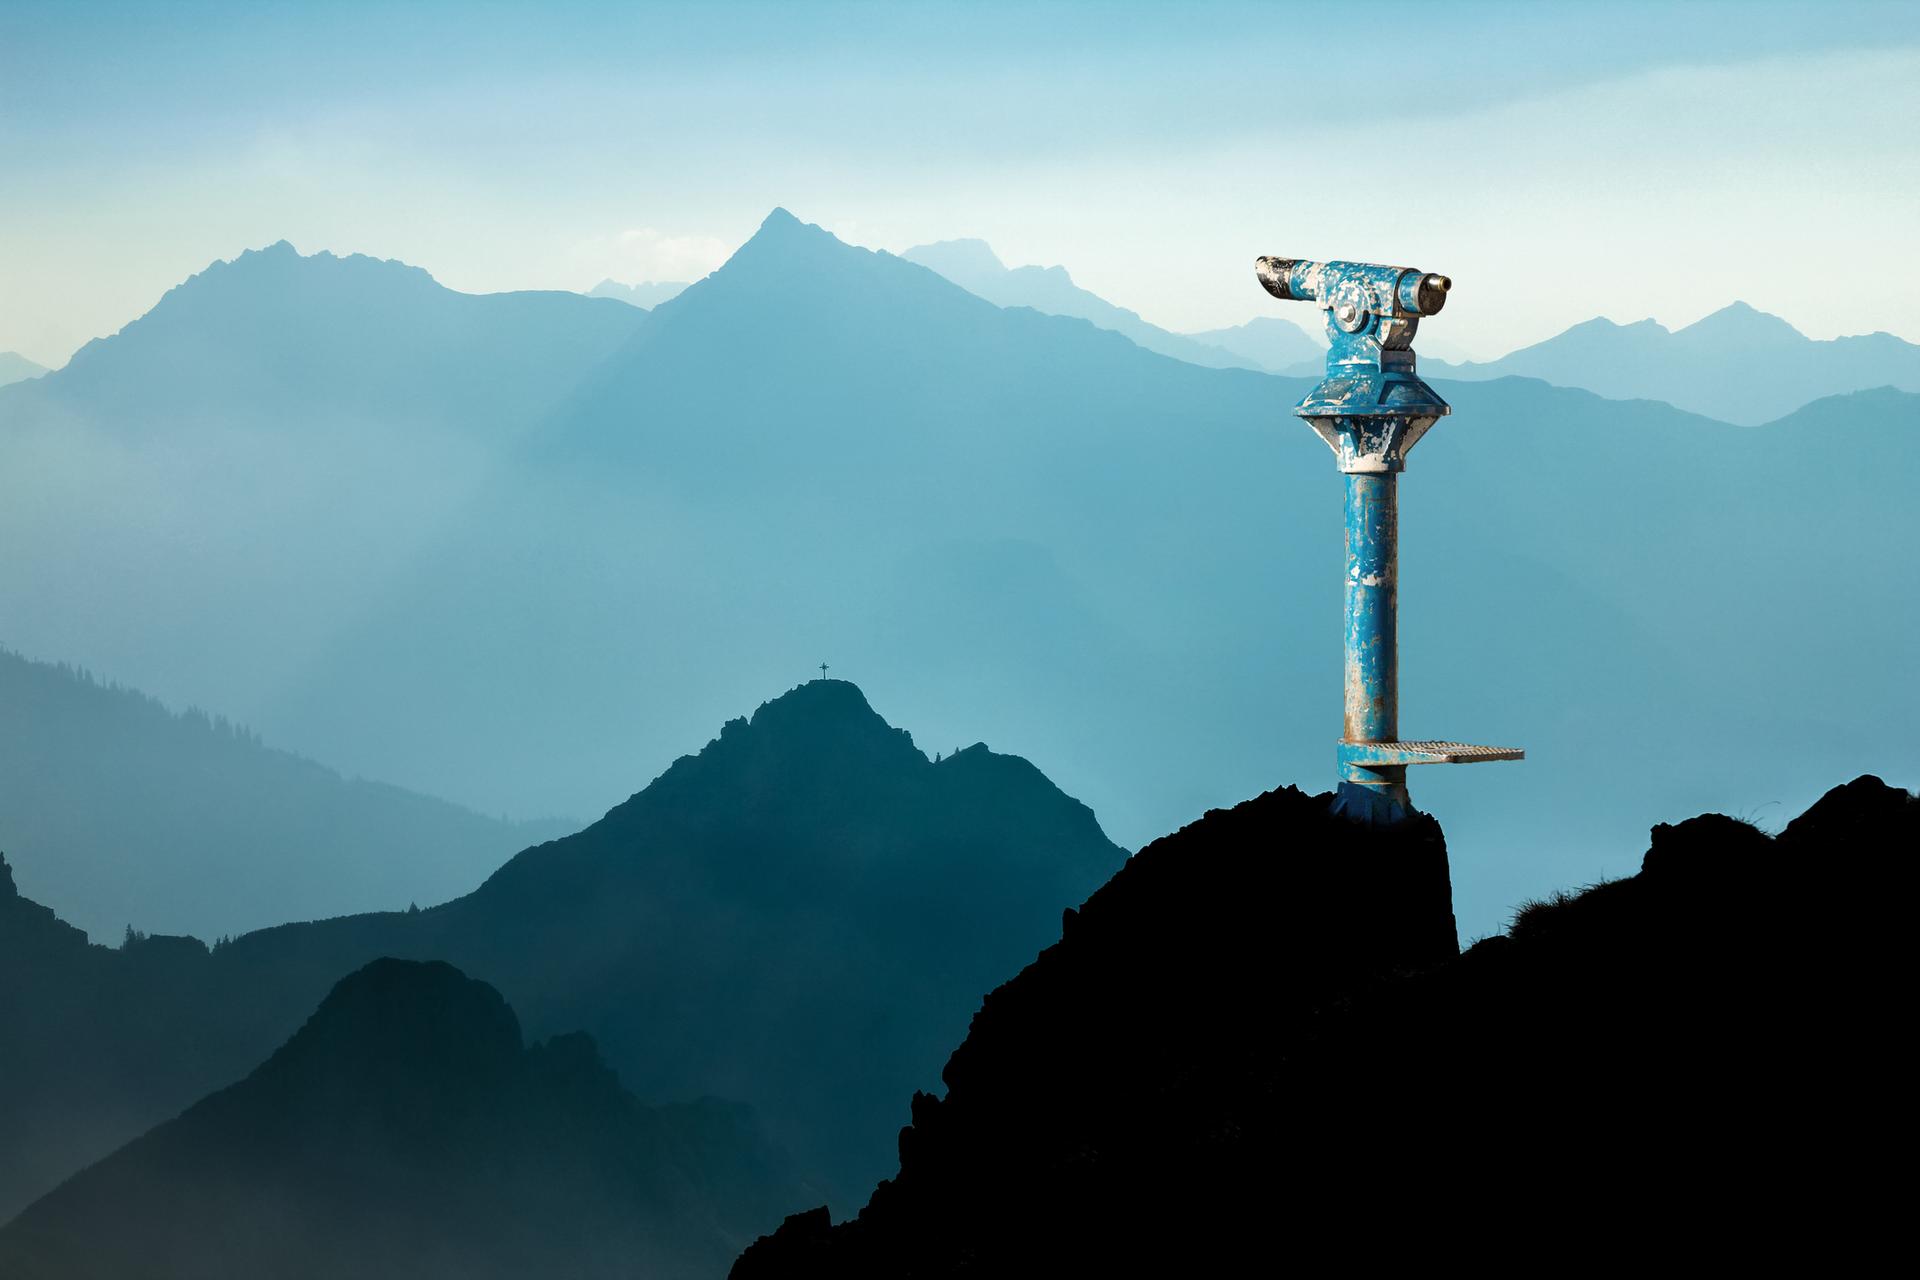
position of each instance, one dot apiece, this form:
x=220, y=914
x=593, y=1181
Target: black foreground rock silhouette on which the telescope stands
x=1259, y=1045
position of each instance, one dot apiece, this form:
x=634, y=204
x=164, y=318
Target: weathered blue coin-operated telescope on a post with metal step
x=1372, y=410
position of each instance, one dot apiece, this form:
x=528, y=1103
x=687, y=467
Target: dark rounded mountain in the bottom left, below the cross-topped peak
x=408, y=1131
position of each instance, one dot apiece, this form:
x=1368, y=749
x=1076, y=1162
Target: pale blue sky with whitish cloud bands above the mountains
x=1558, y=160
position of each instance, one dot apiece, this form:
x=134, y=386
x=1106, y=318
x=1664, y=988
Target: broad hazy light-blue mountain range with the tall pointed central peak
x=1009, y=527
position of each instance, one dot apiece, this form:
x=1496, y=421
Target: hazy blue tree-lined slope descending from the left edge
x=130, y=815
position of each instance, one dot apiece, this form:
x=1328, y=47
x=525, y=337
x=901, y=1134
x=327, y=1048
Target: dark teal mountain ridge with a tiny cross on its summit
x=800, y=918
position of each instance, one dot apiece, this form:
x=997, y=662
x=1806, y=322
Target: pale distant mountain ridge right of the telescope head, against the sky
x=1739, y=366
